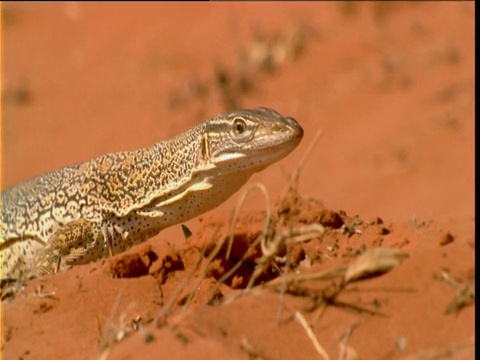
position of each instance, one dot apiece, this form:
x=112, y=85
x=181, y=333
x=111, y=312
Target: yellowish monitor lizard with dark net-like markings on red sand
x=101, y=207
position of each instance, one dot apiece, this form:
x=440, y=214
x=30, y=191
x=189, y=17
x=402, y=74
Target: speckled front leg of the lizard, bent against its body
x=78, y=242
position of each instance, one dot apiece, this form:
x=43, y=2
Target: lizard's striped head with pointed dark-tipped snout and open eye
x=249, y=140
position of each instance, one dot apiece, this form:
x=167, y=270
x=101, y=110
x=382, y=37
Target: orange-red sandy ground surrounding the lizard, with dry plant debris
x=390, y=87
